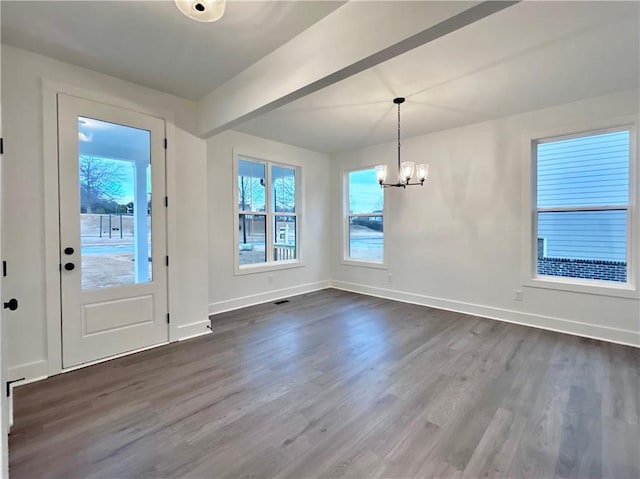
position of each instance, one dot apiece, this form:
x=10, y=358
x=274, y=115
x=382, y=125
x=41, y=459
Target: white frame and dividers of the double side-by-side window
x=270, y=264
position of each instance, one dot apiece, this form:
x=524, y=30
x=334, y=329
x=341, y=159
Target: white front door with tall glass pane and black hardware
x=113, y=262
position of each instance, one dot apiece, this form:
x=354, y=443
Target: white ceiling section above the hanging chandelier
x=529, y=56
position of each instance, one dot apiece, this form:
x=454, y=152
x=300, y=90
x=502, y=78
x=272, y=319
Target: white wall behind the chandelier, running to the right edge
x=457, y=242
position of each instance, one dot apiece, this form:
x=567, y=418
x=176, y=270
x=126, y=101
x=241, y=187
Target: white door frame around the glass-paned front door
x=50, y=90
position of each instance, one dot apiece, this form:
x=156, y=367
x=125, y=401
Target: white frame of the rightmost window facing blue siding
x=531, y=278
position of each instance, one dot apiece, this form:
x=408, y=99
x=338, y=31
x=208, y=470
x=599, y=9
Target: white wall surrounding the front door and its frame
x=23, y=220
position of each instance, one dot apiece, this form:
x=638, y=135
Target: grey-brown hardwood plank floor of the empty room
x=334, y=384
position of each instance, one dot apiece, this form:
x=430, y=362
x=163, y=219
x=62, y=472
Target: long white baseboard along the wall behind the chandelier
x=614, y=335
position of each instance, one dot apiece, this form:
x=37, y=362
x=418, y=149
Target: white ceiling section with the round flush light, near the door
x=151, y=43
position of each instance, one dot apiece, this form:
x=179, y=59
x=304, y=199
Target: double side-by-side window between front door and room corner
x=267, y=217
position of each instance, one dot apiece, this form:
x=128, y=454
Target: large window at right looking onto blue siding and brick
x=581, y=208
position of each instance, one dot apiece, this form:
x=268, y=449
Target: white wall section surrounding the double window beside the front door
x=228, y=291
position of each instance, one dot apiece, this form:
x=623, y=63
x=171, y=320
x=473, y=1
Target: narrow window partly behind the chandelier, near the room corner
x=364, y=218
